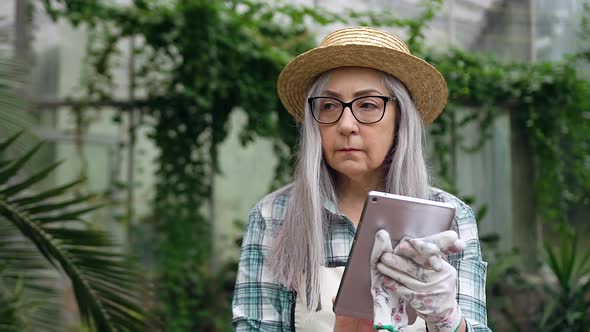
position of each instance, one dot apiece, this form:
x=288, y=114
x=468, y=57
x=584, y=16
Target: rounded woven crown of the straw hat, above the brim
x=364, y=36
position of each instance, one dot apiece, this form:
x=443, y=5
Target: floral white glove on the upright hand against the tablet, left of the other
x=388, y=307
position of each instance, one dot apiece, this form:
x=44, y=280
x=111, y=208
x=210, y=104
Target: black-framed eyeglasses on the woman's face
x=366, y=109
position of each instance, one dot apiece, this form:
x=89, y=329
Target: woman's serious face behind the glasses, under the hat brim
x=353, y=149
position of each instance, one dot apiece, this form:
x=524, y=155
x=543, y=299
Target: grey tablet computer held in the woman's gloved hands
x=400, y=216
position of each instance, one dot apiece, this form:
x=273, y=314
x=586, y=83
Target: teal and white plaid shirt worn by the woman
x=262, y=304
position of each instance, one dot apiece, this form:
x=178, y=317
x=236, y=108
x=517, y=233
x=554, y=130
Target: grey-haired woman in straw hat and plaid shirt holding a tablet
x=362, y=100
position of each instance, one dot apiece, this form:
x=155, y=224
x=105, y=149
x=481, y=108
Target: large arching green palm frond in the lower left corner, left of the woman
x=106, y=288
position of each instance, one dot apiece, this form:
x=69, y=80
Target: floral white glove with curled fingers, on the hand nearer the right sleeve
x=418, y=274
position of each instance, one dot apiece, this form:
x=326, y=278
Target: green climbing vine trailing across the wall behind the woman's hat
x=197, y=61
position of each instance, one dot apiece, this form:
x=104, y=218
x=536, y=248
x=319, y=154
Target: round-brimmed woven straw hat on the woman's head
x=364, y=47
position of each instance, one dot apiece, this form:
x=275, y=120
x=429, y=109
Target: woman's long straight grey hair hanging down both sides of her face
x=298, y=250
